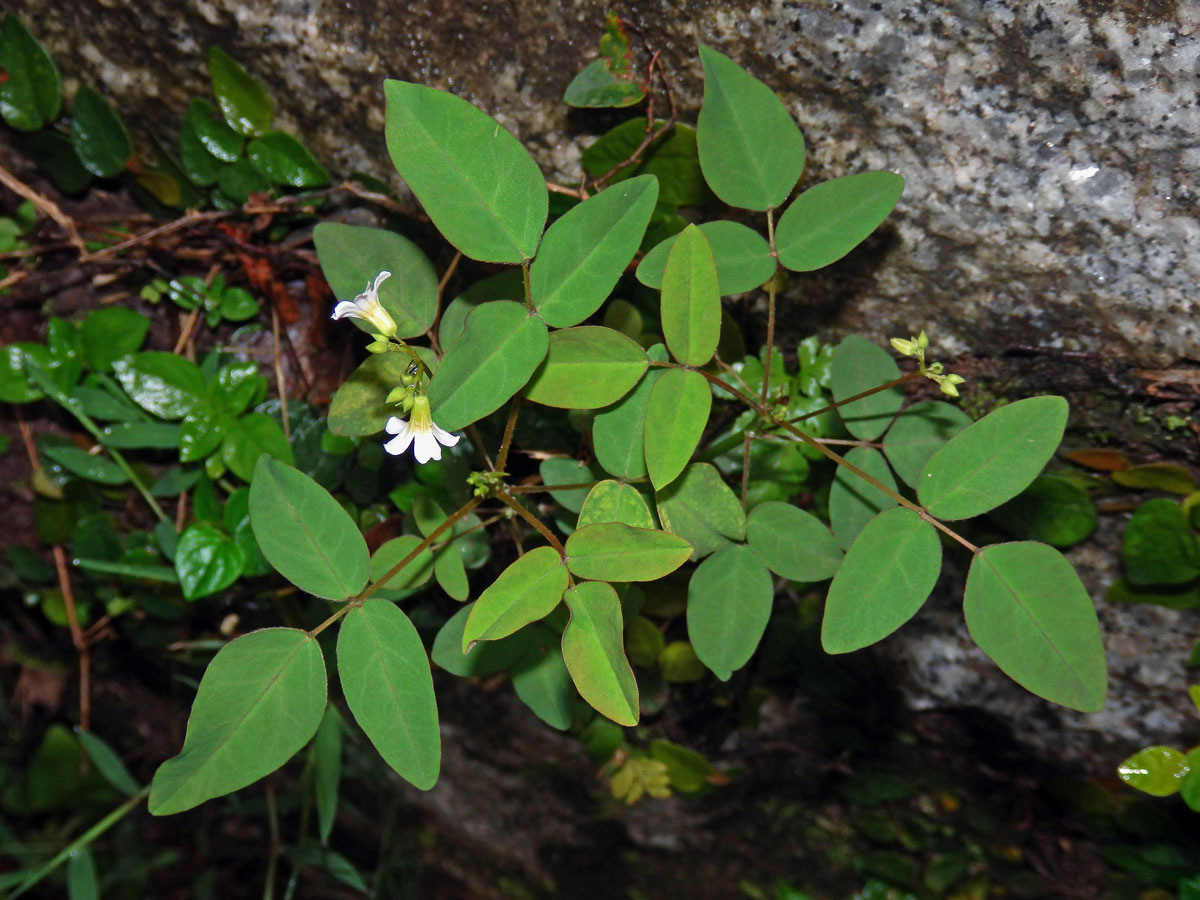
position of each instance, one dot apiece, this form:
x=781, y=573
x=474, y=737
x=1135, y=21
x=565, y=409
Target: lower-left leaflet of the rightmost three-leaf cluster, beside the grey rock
x=887, y=575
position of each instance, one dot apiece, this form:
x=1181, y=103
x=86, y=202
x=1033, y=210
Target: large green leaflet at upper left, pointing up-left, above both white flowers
x=482, y=189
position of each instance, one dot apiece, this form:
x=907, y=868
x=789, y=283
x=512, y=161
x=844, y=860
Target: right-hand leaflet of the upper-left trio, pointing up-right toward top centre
x=586, y=251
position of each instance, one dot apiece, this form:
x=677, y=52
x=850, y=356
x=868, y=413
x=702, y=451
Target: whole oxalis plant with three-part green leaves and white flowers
x=560, y=617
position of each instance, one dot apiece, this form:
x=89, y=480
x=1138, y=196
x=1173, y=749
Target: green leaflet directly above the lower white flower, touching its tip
x=502, y=345
